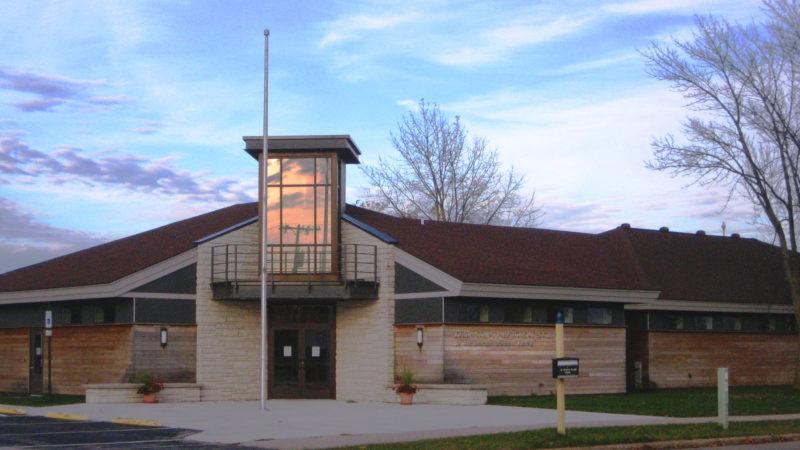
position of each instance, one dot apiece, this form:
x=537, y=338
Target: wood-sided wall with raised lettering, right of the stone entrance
x=515, y=360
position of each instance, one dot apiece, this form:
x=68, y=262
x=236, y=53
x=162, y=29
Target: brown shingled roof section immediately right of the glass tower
x=508, y=255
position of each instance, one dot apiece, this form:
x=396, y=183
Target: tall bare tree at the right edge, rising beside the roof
x=743, y=83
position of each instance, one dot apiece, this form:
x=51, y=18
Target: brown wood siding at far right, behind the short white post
x=690, y=359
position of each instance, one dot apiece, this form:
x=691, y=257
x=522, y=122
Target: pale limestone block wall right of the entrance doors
x=365, y=332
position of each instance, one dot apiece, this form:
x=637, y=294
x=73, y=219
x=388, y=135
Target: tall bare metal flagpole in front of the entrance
x=264, y=205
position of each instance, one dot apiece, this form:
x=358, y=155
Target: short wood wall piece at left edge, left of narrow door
x=14, y=353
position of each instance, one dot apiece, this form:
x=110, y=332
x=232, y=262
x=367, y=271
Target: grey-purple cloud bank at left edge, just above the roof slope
x=26, y=240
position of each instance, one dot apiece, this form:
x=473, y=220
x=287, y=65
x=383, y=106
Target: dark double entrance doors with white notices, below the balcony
x=301, y=356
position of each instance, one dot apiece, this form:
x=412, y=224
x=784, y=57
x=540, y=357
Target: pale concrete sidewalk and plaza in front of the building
x=331, y=423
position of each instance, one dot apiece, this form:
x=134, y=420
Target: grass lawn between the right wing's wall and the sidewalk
x=700, y=402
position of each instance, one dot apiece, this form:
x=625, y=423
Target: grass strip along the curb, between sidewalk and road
x=580, y=437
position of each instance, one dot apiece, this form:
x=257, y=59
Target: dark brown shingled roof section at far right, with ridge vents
x=709, y=268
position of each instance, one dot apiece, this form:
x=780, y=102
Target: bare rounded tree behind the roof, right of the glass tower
x=443, y=175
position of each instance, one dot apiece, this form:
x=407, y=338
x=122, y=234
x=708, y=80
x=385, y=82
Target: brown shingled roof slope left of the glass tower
x=109, y=262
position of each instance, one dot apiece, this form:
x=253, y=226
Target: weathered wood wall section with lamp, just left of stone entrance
x=175, y=363
